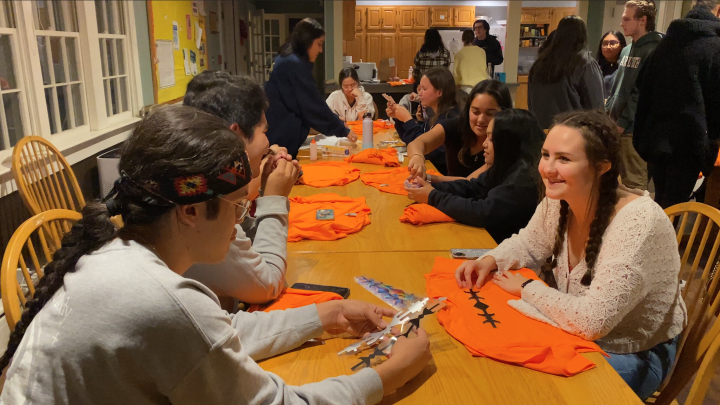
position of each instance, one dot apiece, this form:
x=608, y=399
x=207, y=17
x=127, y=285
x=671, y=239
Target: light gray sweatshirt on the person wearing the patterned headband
x=125, y=329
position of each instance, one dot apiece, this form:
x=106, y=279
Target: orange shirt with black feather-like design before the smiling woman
x=515, y=338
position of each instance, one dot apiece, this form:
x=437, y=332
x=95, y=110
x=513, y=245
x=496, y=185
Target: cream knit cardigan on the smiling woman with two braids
x=633, y=302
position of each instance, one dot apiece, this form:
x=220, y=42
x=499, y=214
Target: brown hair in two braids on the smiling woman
x=602, y=144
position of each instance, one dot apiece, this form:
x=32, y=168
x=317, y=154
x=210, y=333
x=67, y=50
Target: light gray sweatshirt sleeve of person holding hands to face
x=253, y=270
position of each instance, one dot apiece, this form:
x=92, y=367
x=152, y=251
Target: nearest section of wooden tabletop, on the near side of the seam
x=453, y=376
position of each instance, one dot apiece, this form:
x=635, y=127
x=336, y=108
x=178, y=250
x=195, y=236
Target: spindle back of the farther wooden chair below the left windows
x=44, y=178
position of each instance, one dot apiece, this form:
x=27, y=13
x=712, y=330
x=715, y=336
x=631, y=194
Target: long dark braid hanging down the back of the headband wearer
x=87, y=235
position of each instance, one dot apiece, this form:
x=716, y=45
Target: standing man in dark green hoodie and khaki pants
x=638, y=22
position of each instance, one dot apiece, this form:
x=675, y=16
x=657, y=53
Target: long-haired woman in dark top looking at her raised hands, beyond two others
x=436, y=92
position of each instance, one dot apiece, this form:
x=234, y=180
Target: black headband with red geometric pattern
x=196, y=188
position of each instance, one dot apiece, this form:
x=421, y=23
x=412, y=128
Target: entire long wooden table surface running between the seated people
x=400, y=254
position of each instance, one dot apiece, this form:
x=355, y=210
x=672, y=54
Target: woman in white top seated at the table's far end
x=352, y=102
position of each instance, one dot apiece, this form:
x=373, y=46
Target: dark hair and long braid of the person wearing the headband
x=170, y=141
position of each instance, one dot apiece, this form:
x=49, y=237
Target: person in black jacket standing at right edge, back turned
x=677, y=123
